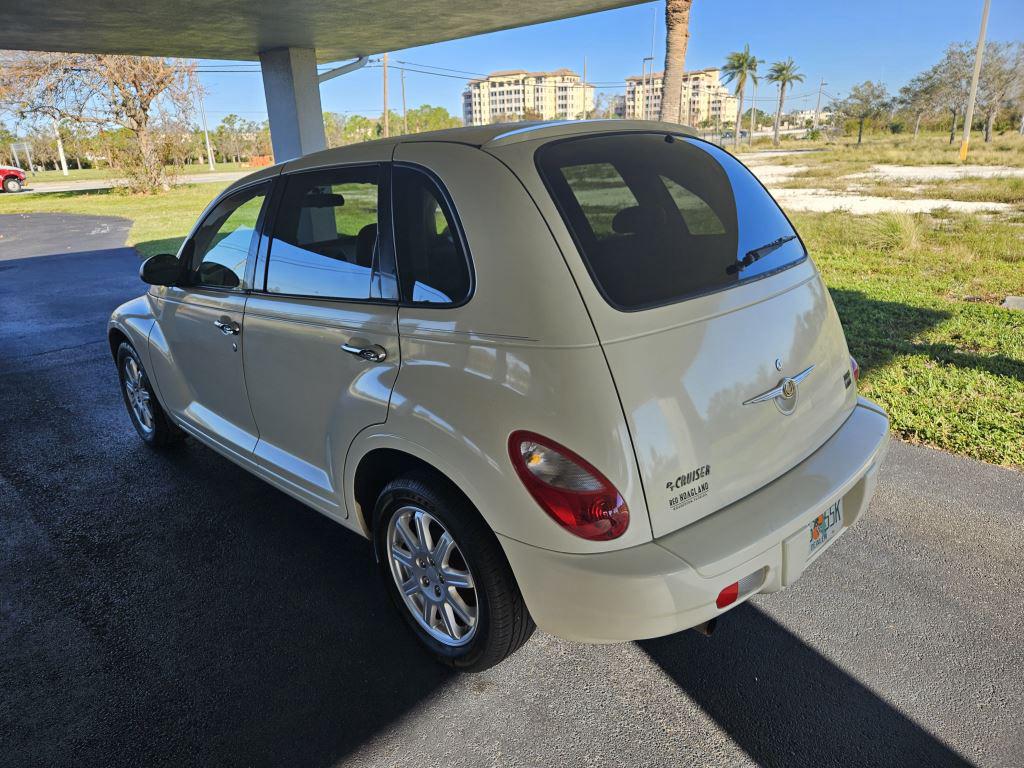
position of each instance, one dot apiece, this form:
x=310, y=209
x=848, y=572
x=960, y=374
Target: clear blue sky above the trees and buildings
x=843, y=41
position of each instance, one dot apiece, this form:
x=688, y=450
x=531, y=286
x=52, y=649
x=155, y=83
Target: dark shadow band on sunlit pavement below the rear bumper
x=787, y=705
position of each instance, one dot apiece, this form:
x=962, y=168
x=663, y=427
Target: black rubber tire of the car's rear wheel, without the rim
x=503, y=623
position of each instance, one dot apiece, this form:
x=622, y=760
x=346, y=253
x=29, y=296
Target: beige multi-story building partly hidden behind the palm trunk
x=704, y=98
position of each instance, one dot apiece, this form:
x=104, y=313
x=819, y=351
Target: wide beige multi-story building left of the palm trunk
x=518, y=95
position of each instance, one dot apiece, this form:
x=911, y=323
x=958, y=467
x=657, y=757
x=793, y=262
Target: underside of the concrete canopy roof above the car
x=242, y=29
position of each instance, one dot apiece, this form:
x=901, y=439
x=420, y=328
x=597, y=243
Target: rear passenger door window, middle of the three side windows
x=325, y=238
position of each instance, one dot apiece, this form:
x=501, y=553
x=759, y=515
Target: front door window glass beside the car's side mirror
x=224, y=240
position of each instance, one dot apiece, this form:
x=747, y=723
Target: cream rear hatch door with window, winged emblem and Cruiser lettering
x=723, y=343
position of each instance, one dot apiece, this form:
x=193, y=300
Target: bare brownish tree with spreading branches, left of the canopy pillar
x=134, y=94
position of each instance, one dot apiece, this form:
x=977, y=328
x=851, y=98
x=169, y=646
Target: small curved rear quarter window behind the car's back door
x=433, y=265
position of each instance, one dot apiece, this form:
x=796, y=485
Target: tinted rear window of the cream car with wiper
x=659, y=220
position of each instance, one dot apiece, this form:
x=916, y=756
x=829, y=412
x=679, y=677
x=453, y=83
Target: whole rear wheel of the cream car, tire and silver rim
x=447, y=574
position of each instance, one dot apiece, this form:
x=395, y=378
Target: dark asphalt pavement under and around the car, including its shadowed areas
x=168, y=609
